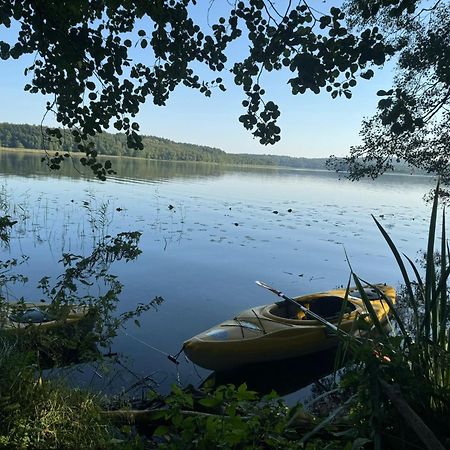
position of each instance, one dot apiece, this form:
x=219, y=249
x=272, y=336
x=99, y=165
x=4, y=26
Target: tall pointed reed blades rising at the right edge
x=426, y=343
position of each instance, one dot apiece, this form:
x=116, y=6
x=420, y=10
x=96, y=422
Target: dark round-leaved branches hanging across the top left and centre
x=84, y=57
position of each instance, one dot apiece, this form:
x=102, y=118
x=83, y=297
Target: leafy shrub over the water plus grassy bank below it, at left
x=47, y=414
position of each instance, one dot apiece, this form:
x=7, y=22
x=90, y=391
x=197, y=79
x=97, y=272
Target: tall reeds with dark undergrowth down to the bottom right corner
x=407, y=374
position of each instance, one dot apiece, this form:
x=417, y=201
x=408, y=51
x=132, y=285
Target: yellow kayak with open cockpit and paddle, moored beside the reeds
x=280, y=330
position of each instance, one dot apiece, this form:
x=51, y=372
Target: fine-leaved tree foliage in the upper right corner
x=412, y=119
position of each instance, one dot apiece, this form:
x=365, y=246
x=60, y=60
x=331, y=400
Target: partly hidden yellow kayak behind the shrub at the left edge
x=20, y=316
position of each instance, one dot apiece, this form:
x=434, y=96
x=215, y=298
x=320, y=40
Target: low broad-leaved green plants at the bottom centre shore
x=232, y=417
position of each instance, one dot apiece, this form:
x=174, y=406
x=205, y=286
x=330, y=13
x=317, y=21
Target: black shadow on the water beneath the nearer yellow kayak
x=284, y=376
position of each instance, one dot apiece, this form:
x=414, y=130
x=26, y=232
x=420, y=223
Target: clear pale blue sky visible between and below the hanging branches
x=312, y=125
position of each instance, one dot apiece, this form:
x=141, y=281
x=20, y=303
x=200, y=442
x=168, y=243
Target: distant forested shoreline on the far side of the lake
x=17, y=136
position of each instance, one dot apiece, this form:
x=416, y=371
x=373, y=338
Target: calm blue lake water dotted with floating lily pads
x=208, y=233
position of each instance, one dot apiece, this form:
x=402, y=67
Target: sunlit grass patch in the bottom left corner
x=35, y=413
